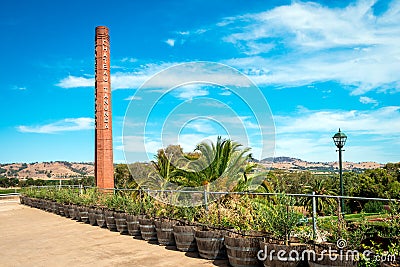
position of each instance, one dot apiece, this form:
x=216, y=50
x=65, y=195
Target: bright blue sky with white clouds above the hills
x=320, y=65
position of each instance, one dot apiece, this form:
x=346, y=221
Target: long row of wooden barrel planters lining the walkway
x=241, y=251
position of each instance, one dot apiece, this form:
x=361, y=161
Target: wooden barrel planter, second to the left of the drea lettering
x=210, y=244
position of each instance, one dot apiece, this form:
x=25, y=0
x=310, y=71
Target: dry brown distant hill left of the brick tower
x=47, y=170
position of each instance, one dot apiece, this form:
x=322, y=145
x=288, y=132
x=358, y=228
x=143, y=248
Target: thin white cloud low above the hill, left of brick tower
x=69, y=124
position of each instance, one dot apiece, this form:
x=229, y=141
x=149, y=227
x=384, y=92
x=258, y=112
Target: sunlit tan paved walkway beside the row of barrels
x=32, y=237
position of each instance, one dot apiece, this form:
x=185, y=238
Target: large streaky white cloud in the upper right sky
x=349, y=45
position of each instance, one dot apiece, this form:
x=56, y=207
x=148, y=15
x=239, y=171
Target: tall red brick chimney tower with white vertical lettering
x=104, y=168
